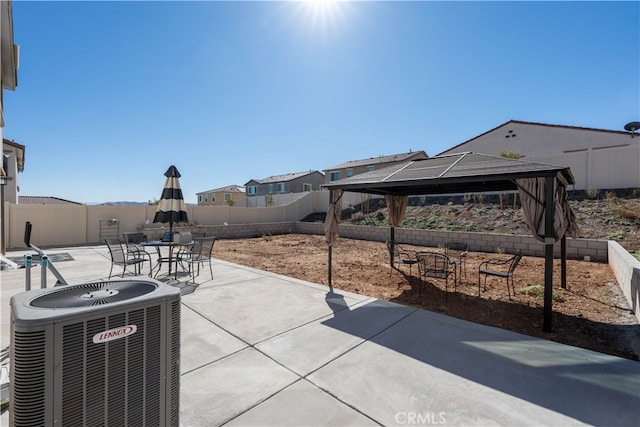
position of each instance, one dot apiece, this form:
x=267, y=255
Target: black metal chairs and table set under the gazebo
x=451, y=260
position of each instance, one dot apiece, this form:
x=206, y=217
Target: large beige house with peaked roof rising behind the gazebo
x=599, y=159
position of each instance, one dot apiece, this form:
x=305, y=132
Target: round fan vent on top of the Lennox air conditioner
x=91, y=294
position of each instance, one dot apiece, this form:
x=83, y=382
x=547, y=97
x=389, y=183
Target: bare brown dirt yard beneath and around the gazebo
x=591, y=313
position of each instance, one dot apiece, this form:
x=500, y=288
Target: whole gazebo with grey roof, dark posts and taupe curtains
x=542, y=189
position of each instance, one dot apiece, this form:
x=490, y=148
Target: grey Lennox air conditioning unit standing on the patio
x=104, y=353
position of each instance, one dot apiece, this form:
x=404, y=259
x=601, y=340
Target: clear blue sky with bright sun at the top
x=110, y=94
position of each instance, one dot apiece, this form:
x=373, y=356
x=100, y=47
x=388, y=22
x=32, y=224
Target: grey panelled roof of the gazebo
x=451, y=174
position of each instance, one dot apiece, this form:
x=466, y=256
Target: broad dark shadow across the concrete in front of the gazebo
x=593, y=388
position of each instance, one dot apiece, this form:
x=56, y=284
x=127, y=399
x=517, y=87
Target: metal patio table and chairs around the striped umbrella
x=182, y=257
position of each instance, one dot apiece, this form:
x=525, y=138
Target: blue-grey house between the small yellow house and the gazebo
x=289, y=183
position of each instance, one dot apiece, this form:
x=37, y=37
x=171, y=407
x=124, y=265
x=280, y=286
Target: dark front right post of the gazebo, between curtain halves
x=548, y=255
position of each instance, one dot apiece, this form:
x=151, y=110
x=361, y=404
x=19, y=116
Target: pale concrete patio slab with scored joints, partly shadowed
x=263, y=349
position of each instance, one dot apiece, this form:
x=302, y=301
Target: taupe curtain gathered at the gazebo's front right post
x=533, y=195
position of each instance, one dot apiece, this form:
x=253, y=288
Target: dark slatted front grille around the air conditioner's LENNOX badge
x=126, y=372
